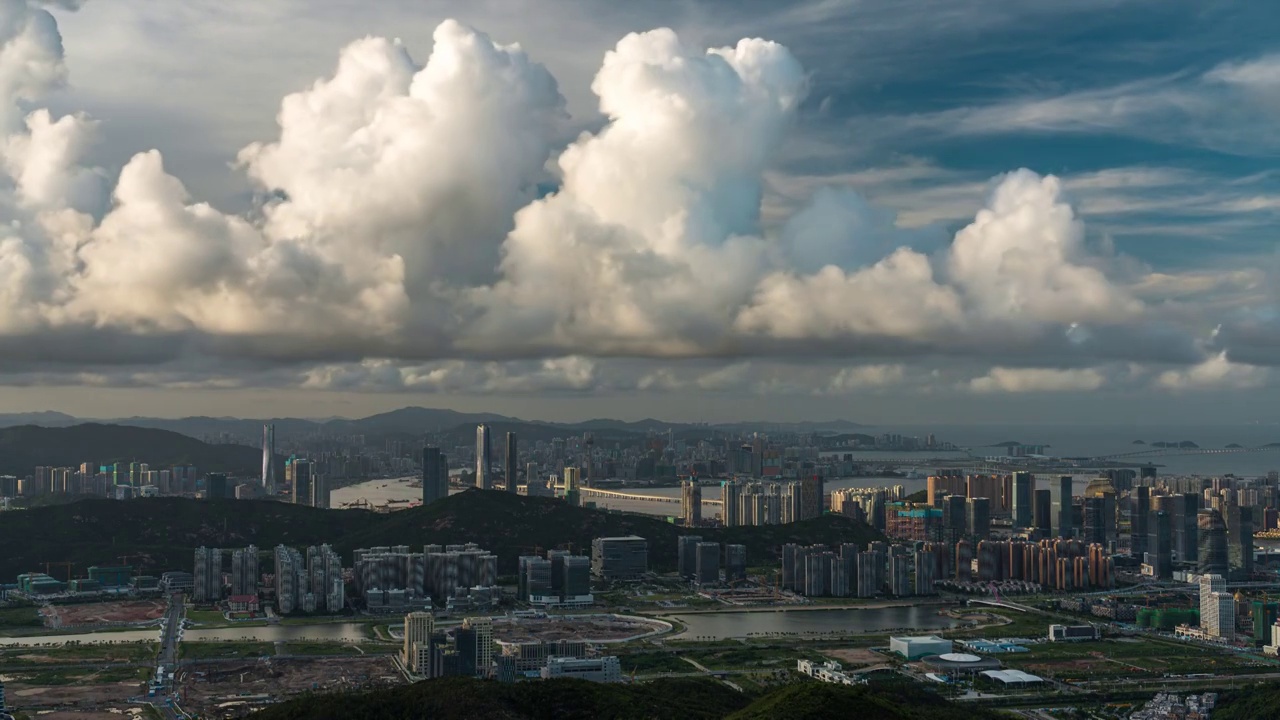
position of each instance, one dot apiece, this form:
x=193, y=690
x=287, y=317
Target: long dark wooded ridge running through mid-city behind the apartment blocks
x=162, y=534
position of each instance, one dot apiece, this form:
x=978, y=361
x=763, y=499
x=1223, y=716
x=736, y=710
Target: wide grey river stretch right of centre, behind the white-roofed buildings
x=723, y=626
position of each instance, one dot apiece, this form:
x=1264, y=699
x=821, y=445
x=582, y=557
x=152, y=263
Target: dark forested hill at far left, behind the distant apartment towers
x=24, y=448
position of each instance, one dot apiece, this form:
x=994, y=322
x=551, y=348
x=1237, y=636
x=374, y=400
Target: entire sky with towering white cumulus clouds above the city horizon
x=890, y=212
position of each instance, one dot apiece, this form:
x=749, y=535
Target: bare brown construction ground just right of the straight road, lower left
x=230, y=689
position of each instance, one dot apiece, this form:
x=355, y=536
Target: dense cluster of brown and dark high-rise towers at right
x=1205, y=526
